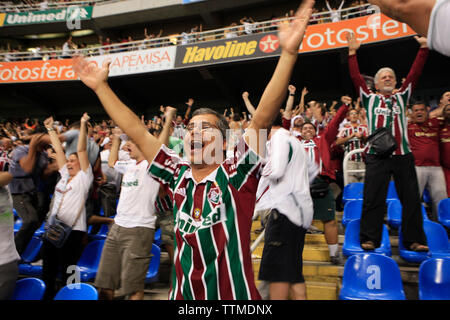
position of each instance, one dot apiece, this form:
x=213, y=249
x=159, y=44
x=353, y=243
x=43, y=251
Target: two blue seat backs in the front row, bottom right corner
x=372, y=276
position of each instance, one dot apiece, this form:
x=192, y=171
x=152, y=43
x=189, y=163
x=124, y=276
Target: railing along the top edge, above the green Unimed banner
x=11, y=7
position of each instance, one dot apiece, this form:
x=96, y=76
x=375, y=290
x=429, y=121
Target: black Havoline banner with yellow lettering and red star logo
x=255, y=46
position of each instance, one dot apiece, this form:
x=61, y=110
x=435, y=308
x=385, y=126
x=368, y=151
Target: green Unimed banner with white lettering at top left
x=48, y=16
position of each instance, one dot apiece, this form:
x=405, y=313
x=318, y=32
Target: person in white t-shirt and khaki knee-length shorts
x=126, y=254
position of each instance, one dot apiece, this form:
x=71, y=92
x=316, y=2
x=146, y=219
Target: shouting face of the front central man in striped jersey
x=203, y=142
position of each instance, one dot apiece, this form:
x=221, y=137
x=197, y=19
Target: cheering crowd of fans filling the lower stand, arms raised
x=71, y=172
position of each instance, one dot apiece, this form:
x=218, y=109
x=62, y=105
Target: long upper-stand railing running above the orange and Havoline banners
x=178, y=39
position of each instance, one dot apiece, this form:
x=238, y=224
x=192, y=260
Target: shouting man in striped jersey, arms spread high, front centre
x=213, y=200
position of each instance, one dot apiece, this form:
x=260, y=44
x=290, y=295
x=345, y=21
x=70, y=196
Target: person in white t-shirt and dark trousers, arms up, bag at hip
x=69, y=198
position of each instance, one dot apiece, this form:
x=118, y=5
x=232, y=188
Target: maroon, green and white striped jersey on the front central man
x=212, y=225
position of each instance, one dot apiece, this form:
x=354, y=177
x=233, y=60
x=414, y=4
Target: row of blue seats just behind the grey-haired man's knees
x=353, y=210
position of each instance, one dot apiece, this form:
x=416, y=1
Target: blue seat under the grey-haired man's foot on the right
x=437, y=241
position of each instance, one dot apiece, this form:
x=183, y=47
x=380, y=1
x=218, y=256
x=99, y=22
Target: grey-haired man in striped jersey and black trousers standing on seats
x=388, y=109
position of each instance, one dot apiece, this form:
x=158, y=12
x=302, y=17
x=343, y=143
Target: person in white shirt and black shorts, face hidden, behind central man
x=284, y=188
